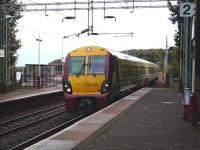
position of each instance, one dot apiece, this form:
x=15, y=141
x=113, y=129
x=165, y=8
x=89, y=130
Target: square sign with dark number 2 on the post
x=187, y=9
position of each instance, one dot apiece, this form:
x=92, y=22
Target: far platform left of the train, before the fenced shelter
x=25, y=92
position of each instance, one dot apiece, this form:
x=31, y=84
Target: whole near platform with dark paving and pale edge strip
x=150, y=119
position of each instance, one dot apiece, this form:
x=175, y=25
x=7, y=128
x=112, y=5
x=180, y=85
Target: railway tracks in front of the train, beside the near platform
x=25, y=130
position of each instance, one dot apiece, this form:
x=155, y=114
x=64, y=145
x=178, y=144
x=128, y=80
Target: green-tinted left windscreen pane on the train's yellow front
x=77, y=65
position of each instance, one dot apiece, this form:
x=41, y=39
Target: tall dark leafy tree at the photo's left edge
x=9, y=14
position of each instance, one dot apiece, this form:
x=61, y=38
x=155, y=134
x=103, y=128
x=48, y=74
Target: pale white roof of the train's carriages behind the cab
x=121, y=55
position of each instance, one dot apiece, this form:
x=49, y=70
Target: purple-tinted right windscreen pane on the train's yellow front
x=96, y=64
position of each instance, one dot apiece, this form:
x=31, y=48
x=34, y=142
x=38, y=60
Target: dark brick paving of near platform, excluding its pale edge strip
x=152, y=123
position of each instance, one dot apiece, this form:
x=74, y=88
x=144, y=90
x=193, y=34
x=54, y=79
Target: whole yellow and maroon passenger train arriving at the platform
x=93, y=76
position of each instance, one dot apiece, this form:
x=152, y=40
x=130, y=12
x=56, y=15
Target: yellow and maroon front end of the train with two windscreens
x=86, y=82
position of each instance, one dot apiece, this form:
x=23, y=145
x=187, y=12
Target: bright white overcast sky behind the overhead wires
x=150, y=28
